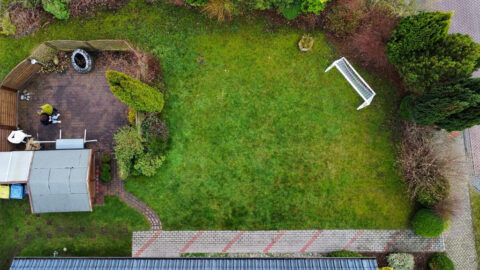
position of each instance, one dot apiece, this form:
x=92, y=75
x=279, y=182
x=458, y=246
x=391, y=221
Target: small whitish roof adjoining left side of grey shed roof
x=15, y=166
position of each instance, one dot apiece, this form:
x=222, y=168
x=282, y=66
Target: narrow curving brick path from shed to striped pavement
x=117, y=188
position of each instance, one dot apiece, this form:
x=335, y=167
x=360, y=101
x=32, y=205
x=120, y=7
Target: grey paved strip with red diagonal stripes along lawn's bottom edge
x=175, y=243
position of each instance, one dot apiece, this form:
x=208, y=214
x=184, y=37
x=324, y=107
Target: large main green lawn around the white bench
x=261, y=137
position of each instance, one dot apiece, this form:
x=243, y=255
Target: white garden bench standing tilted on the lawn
x=362, y=88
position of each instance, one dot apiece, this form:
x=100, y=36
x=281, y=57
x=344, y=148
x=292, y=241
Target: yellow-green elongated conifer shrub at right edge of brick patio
x=135, y=93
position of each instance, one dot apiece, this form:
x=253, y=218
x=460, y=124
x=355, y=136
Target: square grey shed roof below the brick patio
x=58, y=181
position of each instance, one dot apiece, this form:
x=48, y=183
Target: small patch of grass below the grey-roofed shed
x=104, y=232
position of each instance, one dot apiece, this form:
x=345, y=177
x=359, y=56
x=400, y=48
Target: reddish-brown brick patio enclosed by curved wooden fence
x=84, y=102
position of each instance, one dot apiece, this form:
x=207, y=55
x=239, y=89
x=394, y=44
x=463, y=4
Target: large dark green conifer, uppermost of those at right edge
x=425, y=55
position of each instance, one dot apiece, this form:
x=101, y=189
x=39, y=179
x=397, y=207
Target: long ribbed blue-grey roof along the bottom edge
x=195, y=263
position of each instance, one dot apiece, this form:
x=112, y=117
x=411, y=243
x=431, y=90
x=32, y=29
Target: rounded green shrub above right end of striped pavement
x=427, y=224
